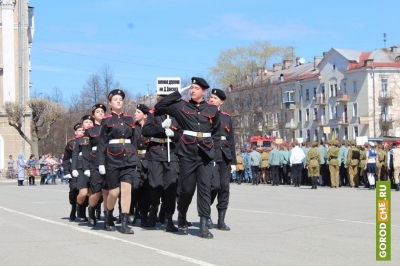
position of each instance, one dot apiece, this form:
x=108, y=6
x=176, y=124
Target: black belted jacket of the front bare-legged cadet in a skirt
x=117, y=155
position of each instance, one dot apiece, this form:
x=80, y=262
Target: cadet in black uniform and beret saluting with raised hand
x=200, y=124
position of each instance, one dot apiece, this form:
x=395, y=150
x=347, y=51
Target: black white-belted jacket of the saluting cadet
x=197, y=117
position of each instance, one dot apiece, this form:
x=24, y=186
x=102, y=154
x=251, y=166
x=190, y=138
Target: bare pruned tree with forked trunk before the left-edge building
x=44, y=115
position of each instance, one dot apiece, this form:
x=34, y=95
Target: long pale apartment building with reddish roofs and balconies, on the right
x=351, y=93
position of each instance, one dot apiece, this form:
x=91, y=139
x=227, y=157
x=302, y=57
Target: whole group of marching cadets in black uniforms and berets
x=150, y=165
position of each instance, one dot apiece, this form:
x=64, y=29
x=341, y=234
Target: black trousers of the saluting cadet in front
x=195, y=173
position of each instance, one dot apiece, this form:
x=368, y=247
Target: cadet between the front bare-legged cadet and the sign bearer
x=140, y=196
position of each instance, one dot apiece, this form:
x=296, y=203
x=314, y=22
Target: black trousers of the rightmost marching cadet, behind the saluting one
x=224, y=169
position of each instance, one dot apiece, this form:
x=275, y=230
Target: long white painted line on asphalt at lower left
x=159, y=251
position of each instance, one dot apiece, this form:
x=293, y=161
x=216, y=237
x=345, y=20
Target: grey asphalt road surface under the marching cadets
x=269, y=226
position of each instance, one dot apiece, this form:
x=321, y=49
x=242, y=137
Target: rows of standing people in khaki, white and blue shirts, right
x=330, y=163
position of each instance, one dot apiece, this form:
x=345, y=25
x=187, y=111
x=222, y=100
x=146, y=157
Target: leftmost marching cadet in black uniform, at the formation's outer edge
x=73, y=191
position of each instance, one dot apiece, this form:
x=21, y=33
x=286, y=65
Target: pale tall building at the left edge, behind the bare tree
x=16, y=33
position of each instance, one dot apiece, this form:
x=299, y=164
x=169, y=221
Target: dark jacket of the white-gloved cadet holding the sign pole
x=157, y=151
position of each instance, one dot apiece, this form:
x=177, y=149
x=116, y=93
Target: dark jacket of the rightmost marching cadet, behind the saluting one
x=227, y=150
